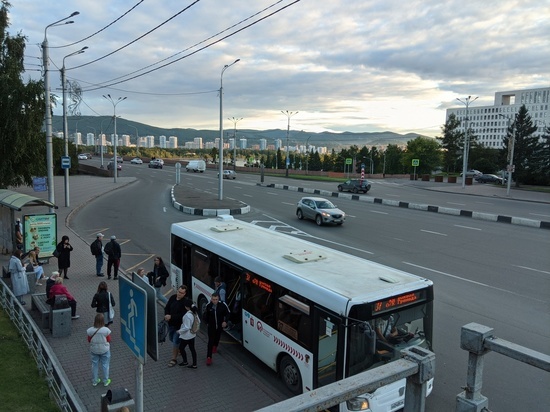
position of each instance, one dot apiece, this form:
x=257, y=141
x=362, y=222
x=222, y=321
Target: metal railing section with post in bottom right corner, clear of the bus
x=479, y=340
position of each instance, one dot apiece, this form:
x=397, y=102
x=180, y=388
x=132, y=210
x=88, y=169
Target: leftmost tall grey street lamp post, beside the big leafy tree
x=48, y=114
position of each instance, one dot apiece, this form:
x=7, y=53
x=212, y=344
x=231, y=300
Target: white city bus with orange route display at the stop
x=313, y=314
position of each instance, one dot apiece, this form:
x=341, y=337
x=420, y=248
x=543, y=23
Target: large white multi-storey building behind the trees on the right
x=490, y=123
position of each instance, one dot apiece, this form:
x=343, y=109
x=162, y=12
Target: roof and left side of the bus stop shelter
x=10, y=203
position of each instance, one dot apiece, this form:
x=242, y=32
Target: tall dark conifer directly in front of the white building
x=522, y=131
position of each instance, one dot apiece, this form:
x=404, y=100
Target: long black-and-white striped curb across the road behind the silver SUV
x=539, y=224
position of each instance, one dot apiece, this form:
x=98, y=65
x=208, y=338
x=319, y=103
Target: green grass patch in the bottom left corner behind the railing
x=21, y=387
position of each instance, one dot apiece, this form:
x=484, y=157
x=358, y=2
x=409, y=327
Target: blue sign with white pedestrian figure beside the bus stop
x=133, y=317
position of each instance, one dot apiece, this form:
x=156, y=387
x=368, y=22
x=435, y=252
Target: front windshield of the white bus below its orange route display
x=379, y=340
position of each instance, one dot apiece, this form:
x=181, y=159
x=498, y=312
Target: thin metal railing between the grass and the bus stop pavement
x=48, y=365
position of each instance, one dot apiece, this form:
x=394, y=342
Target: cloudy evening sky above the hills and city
x=342, y=65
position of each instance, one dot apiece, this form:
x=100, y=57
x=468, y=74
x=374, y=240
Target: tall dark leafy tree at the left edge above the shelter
x=22, y=144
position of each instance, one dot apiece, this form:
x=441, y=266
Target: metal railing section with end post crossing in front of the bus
x=417, y=365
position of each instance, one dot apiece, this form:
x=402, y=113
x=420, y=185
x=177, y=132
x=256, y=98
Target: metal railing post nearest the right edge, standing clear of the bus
x=472, y=339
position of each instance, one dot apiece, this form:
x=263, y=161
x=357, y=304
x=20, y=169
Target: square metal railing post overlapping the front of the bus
x=415, y=394
